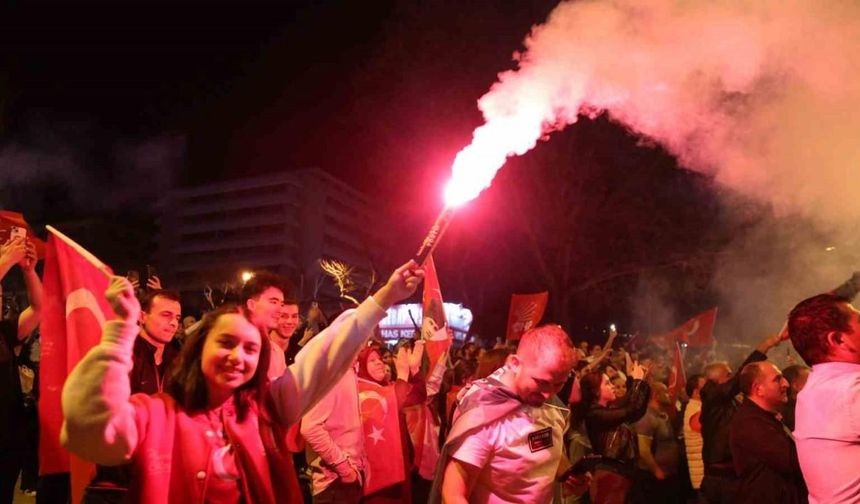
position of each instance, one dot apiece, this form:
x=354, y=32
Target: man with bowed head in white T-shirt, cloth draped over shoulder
x=505, y=443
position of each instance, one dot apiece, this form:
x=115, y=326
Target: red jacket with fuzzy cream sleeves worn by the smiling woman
x=170, y=448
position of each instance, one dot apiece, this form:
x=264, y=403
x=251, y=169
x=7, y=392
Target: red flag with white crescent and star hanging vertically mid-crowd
x=381, y=423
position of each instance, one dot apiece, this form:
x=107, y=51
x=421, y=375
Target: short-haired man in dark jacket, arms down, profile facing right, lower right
x=763, y=450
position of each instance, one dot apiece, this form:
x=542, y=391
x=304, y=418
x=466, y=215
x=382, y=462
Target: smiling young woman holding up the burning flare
x=216, y=433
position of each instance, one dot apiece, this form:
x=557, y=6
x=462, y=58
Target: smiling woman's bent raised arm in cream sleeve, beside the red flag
x=99, y=423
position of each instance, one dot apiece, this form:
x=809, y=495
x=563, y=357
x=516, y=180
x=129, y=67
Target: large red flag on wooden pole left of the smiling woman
x=74, y=313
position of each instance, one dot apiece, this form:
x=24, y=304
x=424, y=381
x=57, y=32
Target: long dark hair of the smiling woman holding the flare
x=186, y=383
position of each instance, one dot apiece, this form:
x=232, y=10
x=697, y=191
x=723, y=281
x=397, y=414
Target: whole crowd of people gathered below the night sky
x=254, y=403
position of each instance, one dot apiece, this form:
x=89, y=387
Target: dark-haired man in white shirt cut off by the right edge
x=825, y=331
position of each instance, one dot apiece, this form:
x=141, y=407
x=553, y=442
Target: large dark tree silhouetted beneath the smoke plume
x=595, y=209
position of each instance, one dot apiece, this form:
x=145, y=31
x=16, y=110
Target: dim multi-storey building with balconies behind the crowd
x=285, y=223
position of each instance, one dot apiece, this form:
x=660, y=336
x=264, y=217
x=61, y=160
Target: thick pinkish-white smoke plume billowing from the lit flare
x=762, y=95
